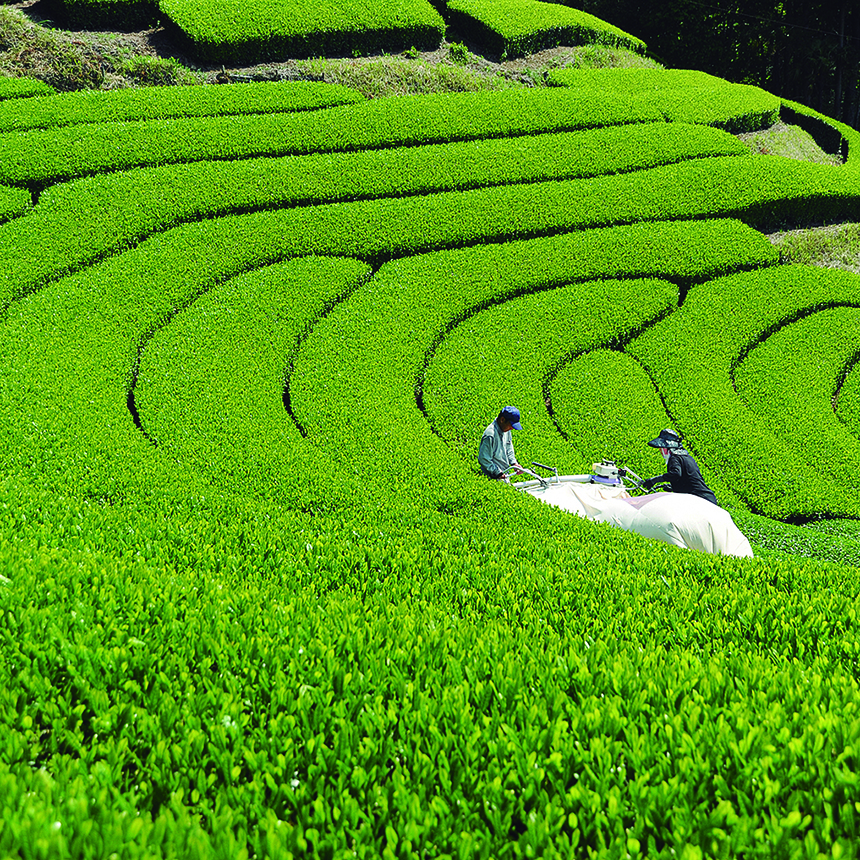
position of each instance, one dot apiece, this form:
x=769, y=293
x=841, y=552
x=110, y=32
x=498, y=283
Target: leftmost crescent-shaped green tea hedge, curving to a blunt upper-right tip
x=210, y=385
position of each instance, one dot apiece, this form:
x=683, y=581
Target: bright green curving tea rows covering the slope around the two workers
x=257, y=599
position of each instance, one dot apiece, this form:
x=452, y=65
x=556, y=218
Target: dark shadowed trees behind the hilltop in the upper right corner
x=805, y=50
